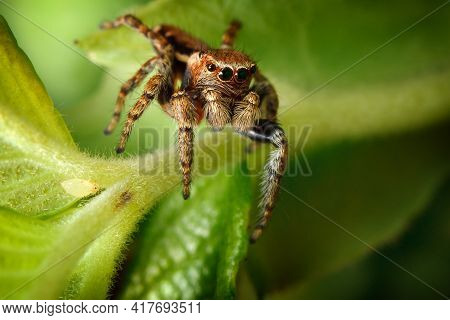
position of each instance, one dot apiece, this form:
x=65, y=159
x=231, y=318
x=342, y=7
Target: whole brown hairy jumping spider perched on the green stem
x=222, y=85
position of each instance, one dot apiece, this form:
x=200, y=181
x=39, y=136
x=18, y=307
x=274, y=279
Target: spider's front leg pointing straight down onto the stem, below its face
x=185, y=114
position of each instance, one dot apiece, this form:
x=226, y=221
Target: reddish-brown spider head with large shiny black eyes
x=225, y=70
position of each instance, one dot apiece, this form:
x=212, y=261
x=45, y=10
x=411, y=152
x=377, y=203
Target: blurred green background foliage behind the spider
x=378, y=149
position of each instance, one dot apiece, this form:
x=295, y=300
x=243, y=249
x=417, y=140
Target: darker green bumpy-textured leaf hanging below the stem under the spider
x=192, y=249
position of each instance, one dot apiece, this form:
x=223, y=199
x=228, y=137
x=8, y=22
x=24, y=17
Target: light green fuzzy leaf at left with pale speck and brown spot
x=64, y=215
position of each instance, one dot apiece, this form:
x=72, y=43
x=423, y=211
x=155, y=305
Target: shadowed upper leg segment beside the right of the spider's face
x=268, y=96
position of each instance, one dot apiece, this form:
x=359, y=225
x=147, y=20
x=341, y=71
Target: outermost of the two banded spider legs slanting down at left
x=126, y=88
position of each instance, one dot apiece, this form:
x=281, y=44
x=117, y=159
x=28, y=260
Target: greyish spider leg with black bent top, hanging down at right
x=269, y=132
